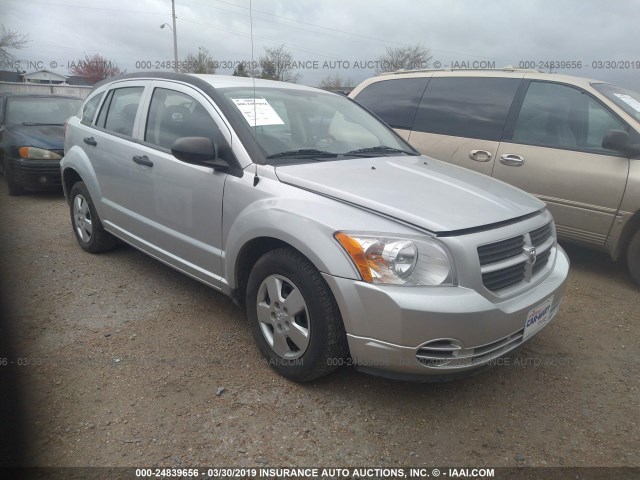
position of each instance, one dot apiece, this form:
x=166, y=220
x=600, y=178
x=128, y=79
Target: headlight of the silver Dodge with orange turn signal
x=400, y=261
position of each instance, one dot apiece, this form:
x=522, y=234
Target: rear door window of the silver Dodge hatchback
x=118, y=113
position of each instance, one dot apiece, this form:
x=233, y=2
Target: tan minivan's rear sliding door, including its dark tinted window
x=460, y=119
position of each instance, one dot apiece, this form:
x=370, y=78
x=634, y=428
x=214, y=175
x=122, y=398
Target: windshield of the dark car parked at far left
x=40, y=110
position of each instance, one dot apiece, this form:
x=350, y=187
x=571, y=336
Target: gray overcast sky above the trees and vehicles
x=330, y=31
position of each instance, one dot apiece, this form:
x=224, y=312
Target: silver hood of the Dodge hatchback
x=421, y=191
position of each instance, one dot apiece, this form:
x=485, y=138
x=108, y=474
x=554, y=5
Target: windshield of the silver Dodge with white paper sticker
x=313, y=125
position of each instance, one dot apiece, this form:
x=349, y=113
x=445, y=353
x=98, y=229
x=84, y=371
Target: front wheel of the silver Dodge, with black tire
x=294, y=317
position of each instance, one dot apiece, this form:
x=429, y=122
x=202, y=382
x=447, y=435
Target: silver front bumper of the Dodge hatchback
x=394, y=331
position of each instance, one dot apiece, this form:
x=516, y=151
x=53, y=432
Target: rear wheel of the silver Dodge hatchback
x=86, y=224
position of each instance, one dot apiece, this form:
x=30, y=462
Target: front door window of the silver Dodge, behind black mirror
x=173, y=115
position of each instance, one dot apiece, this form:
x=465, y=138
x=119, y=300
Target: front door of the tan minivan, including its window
x=554, y=150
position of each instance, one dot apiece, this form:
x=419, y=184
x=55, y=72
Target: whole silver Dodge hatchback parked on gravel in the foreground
x=344, y=244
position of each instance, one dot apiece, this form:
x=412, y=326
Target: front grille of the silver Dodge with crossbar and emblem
x=508, y=262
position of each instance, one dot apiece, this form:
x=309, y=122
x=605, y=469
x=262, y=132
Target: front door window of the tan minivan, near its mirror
x=559, y=116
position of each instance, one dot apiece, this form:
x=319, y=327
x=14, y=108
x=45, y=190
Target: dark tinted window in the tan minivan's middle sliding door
x=466, y=107
